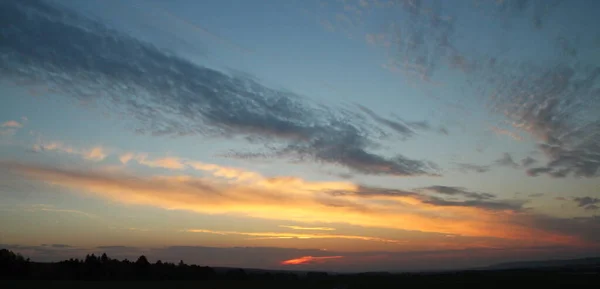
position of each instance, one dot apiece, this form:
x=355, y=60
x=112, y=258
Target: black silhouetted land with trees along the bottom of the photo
x=103, y=272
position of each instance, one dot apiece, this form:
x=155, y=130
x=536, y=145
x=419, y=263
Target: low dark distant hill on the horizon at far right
x=585, y=263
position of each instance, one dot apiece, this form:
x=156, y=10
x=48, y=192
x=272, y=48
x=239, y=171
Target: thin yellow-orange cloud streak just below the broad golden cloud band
x=280, y=235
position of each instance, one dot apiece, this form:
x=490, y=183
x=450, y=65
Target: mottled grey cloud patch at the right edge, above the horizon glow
x=560, y=112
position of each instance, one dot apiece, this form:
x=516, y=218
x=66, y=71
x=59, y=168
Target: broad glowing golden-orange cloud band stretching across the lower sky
x=291, y=199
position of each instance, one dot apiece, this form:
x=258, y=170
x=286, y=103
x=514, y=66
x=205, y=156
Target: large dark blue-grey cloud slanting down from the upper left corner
x=166, y=95
